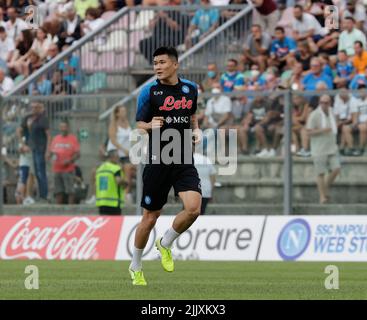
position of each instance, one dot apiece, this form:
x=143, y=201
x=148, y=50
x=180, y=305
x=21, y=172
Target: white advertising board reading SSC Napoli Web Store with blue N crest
x=315, y=238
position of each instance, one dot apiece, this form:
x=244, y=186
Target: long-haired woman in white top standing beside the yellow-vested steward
x=119, y=138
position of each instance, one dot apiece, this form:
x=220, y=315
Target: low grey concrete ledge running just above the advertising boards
x=212, y=209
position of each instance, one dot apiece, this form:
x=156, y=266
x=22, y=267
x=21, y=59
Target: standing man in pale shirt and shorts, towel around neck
x=322, y=129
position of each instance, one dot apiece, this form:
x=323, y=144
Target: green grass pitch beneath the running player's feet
x=191, y=280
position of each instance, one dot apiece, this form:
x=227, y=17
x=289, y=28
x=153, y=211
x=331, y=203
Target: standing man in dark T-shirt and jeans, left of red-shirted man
x=36, y=127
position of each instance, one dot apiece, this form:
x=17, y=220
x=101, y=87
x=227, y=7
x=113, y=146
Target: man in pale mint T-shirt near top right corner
x=349, y=36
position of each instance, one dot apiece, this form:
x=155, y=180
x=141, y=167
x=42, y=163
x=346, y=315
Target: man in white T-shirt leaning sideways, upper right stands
x=305, y=26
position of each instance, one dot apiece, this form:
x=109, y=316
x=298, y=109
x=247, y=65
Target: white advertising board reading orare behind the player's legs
x=209, y=238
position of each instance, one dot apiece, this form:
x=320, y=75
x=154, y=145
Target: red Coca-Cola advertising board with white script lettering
x=59, y=238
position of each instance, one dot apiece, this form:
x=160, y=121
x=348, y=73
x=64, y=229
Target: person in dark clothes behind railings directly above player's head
x=173, y=22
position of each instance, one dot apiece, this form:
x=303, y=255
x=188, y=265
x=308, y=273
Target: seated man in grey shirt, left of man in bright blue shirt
x=257, y=47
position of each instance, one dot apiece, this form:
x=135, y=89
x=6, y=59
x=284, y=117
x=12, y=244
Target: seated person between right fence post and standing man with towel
x=300, y=113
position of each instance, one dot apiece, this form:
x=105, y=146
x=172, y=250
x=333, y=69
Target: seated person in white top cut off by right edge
x=358, y=125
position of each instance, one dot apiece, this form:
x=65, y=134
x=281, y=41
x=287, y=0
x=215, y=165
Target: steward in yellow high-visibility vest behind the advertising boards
x=110, y=185
